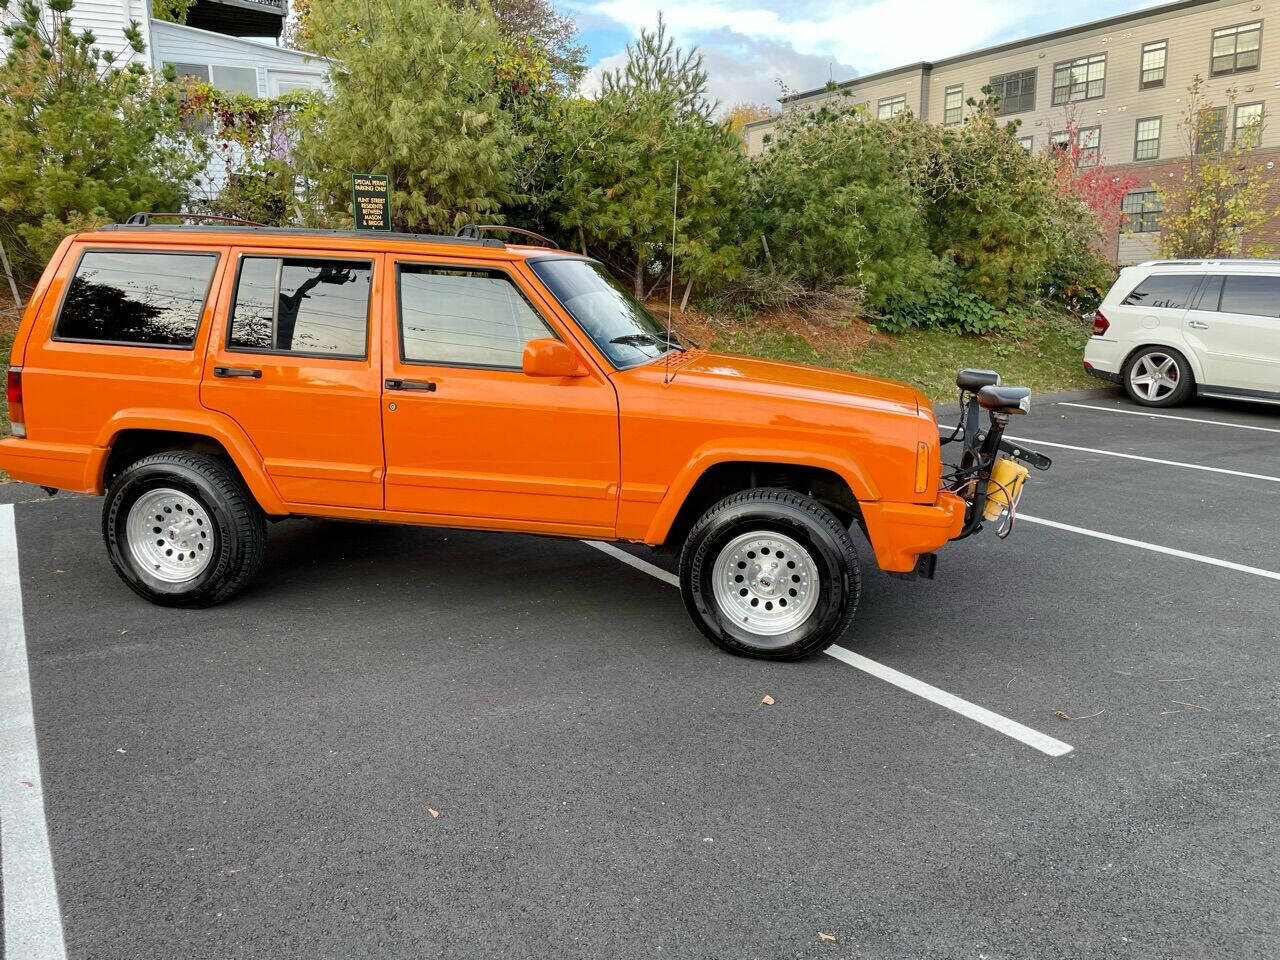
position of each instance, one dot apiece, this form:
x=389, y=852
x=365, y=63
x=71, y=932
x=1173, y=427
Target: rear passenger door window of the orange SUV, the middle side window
x=301, y=305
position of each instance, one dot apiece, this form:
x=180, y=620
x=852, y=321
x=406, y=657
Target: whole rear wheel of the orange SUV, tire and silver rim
x=182, y=531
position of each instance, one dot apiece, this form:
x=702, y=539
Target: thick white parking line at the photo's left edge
x=33, y=920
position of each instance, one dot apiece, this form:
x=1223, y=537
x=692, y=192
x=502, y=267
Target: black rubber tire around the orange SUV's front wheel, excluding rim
x=807, y=523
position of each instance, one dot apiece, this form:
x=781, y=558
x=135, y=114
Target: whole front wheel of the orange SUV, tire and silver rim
x=770, y=574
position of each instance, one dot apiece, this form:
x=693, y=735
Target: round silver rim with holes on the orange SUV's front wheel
x=766, y=582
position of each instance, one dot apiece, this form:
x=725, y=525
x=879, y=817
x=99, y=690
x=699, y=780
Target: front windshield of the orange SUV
x=624, y=331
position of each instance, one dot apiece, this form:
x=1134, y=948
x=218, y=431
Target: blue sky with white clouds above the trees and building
x=753, y=49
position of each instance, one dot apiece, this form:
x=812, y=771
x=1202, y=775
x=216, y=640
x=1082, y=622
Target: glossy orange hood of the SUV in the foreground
x=794, y=381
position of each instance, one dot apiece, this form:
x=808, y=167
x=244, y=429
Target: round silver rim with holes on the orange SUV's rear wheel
x=171, y=536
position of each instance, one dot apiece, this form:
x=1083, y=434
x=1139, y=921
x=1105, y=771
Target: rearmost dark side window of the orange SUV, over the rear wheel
x=150, y=300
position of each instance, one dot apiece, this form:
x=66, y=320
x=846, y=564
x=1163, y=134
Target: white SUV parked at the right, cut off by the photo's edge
x=1169, y=330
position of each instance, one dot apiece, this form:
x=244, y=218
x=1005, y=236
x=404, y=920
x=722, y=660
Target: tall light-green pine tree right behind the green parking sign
x=415, y=97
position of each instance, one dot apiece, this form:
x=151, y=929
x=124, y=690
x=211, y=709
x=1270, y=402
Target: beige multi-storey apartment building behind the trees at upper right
x=1123, y=79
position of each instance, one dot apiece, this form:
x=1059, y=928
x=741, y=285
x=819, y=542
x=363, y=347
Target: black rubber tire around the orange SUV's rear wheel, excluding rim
x=237, y=528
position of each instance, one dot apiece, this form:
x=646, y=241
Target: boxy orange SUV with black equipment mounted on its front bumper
x=211, y=378
